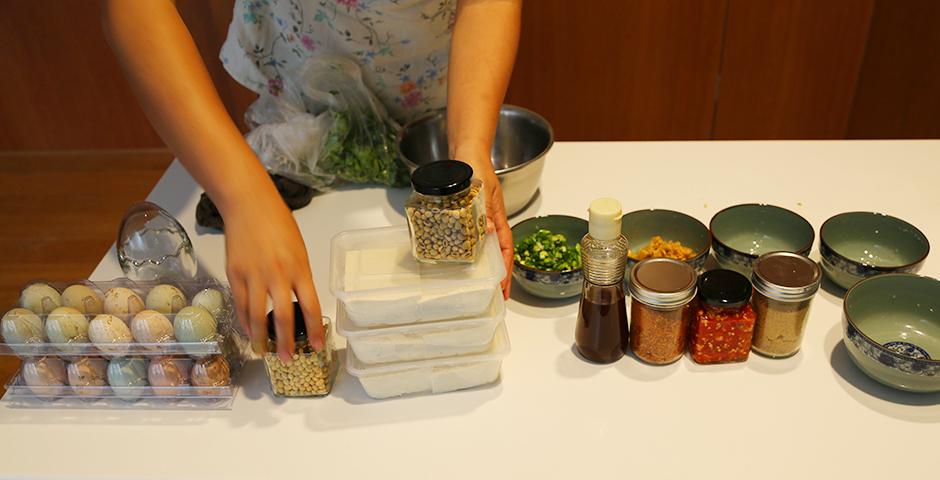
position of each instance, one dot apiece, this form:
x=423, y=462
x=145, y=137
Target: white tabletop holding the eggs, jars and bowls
x=552, y=415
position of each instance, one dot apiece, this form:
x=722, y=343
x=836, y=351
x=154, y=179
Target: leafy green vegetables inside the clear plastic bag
x=362, y=150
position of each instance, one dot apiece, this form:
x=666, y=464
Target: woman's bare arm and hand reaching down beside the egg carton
x=265, y=252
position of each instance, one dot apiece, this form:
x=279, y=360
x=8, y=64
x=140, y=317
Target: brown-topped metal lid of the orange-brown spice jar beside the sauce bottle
x=662, y=282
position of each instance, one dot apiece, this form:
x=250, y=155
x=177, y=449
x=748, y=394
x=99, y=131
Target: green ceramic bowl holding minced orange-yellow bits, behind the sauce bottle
x=642, y=225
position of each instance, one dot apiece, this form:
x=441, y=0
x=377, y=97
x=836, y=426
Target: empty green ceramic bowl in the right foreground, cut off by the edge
x=891, y=327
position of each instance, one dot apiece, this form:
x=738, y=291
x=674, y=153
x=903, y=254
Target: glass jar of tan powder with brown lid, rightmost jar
x=784, y=286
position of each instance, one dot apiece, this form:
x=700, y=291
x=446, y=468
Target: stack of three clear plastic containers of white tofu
x=414, y=327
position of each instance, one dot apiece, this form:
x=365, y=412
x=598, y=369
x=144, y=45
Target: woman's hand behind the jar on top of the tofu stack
x=495, y=208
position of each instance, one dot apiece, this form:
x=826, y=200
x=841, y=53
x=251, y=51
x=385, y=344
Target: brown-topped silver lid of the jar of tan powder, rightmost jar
x=786, y=276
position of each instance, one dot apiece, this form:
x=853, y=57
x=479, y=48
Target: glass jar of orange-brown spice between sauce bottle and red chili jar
x=661, y=309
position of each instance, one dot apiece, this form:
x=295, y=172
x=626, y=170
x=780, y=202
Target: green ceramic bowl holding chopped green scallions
x=543, y=283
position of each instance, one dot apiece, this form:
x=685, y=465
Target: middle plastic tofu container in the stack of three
x=424, y=340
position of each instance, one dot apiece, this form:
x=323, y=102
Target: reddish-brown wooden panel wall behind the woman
x=604, y=70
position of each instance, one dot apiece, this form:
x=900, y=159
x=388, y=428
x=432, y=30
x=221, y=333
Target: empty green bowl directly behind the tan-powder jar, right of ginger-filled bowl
x=742, y=233
